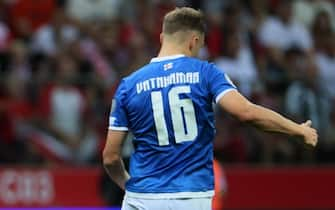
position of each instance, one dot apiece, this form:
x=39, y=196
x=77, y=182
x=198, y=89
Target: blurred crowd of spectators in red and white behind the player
x=61, y=61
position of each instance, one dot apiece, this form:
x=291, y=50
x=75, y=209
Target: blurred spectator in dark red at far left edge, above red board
x=15, y=112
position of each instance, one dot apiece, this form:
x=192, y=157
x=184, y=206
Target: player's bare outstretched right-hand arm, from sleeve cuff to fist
x=237, y=105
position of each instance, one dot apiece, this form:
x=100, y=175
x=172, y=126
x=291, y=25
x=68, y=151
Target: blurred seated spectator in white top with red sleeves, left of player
x=68, y=135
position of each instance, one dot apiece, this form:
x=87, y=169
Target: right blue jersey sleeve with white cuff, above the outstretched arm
x=219, y=83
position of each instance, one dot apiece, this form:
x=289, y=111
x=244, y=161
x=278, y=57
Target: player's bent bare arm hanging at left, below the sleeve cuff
x=112, y=157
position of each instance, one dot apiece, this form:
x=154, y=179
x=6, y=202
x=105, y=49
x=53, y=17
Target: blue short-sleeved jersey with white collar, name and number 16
x=167, y=105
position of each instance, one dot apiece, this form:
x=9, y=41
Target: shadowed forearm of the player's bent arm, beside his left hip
x=117, y=172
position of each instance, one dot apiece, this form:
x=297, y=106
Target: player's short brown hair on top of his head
x=183, y=19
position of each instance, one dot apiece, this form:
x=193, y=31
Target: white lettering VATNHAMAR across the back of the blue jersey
x=164, y=81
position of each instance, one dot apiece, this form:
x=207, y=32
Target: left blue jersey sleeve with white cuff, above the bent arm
x=118, y=119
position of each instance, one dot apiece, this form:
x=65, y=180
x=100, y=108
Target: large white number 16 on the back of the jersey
x=182, y=115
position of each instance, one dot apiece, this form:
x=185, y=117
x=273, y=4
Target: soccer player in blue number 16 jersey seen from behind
x=167, y=105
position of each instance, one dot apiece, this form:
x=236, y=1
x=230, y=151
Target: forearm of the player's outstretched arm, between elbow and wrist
x=269, y=120
